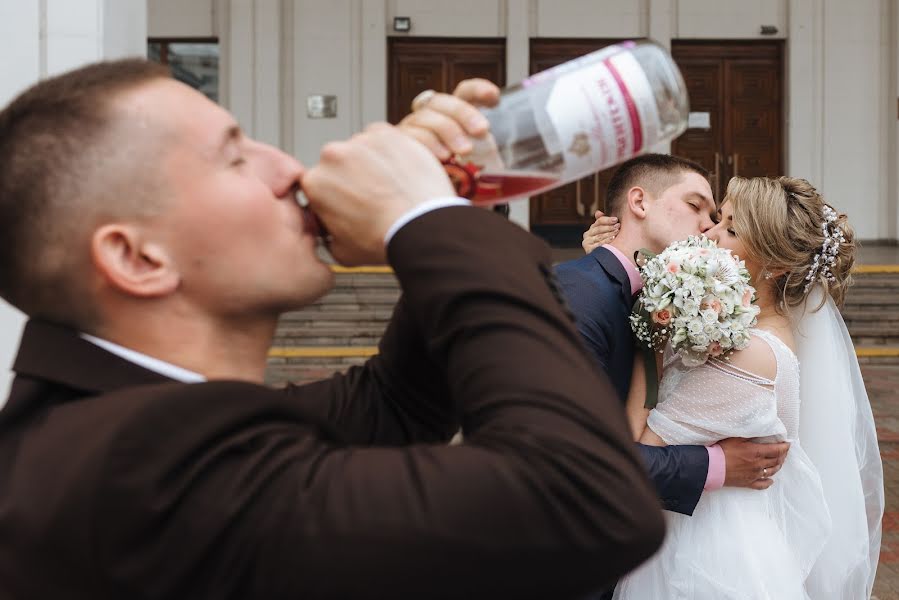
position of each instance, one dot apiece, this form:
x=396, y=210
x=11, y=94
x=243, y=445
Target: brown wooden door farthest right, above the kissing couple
x=740, y=86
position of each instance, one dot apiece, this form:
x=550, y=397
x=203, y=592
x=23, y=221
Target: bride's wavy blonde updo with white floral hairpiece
x=788, y=228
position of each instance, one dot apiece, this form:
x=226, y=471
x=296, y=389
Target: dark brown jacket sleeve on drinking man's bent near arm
x=546, y=498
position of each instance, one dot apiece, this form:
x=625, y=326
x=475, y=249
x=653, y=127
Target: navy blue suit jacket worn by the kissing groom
x=598, y=292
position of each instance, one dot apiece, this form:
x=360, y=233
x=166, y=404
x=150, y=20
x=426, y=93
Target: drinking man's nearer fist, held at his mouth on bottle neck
x=362, y=186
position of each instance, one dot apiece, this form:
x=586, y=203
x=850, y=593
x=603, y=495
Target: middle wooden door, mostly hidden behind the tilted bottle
x=560, y=216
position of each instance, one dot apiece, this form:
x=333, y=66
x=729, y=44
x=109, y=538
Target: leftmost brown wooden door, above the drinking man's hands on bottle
x=418, y=64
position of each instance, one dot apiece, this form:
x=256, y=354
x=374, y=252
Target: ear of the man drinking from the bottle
x=131, y=263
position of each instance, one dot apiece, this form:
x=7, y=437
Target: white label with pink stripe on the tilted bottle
x=603, y=114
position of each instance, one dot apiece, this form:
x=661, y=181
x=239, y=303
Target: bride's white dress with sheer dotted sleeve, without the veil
x=739, y=543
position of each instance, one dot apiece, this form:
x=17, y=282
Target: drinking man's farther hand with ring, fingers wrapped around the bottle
x=446, y=123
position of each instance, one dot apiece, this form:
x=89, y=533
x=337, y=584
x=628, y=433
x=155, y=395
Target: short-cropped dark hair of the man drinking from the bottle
x=59, y=162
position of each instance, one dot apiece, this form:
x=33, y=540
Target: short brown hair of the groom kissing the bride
x=653, y=172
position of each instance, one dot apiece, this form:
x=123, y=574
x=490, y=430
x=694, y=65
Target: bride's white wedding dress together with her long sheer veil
x=816, y=532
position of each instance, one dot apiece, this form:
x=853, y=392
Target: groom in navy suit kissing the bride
x=658, y=199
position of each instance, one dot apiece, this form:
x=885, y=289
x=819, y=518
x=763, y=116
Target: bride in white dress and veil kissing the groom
x=816, y=532
